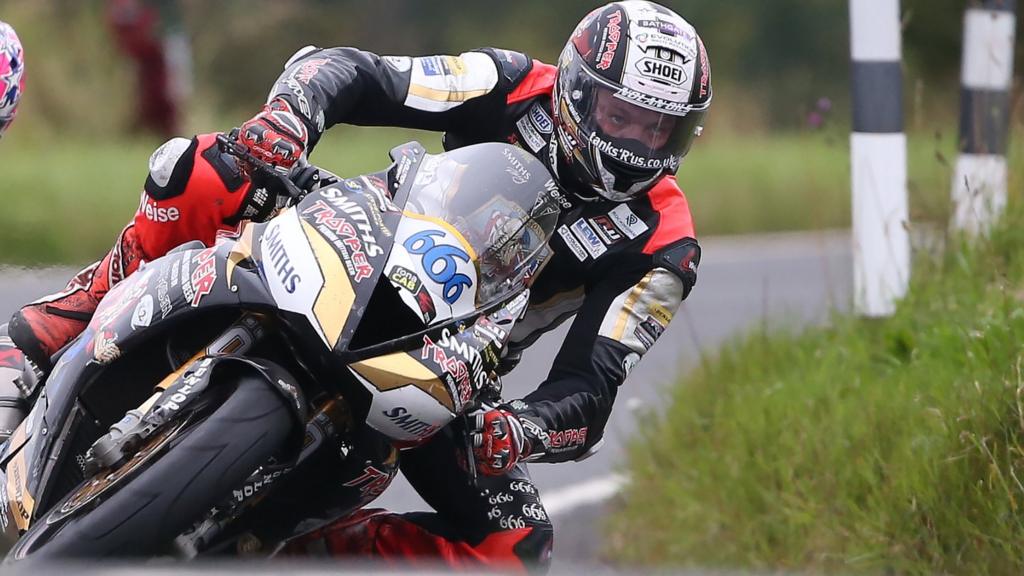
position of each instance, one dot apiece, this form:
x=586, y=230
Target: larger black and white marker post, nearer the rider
x=881, y=239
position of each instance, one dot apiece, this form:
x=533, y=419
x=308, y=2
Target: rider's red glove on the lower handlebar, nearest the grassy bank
x=499, y=441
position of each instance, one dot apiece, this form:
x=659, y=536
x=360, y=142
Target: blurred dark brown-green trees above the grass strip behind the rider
x=773, y=60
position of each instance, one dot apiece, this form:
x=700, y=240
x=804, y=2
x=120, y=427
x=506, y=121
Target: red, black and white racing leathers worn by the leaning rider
x=622, y=269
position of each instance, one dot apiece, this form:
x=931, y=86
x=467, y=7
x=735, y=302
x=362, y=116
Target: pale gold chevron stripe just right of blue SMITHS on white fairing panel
x=334, y=303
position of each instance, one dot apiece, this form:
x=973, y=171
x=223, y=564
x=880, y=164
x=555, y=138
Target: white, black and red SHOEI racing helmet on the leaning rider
x=631, y=94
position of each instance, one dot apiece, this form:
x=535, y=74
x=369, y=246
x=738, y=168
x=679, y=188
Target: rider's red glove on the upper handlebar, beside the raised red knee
x=276, y=136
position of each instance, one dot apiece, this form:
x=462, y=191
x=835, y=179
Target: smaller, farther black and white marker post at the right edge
x=979, y=193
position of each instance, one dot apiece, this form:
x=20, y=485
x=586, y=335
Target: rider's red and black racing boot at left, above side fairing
x=42, y=328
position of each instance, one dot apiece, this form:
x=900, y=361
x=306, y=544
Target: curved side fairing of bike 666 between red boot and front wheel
x=150, y=303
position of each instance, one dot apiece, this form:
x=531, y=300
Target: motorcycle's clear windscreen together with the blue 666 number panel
x=480, y=219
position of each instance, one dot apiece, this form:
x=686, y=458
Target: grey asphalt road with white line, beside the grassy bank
x=782, y=280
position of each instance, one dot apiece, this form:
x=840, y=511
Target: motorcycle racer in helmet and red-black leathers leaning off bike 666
x=613, y=121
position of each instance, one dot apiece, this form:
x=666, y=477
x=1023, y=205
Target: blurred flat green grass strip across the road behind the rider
x=66, y=200
